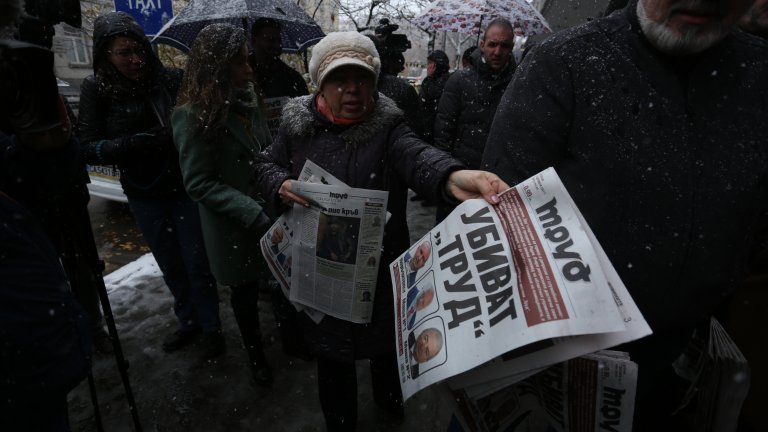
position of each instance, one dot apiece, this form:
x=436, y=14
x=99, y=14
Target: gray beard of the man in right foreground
x=669, y=41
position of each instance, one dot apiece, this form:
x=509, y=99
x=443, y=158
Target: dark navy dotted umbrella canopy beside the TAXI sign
x=299, y=31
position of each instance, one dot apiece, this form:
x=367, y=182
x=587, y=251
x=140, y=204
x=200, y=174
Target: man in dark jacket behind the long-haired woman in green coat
x=277, y=81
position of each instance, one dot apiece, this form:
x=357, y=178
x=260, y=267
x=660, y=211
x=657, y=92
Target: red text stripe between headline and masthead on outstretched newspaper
x=539, y=295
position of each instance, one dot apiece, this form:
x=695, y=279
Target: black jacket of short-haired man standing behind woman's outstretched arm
x=466, y=109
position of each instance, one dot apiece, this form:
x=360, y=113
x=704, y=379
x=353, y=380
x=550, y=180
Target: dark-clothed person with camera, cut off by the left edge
x=45, y=342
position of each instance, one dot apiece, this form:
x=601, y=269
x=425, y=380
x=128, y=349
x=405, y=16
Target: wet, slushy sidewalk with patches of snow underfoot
x=178, y=392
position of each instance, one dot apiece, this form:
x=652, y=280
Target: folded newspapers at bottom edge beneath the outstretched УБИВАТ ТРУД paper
x=592, y=393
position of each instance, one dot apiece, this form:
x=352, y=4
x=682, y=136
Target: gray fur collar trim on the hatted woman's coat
x=298, y=120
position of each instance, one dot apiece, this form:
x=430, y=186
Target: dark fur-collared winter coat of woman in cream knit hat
x=380, y=153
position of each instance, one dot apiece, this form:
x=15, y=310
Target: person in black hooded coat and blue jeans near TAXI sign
x=125, y=109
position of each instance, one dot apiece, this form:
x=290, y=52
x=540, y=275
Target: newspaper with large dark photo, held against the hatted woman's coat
x=337, y=248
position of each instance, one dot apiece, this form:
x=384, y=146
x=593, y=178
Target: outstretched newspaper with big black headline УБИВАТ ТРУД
x=523, y=283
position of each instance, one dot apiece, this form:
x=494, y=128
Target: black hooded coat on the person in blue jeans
x=113, y=110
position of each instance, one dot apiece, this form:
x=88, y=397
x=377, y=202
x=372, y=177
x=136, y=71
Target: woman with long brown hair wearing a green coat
x=218, y=128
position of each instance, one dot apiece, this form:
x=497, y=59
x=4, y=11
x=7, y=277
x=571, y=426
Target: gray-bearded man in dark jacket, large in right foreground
x=648, y=116
